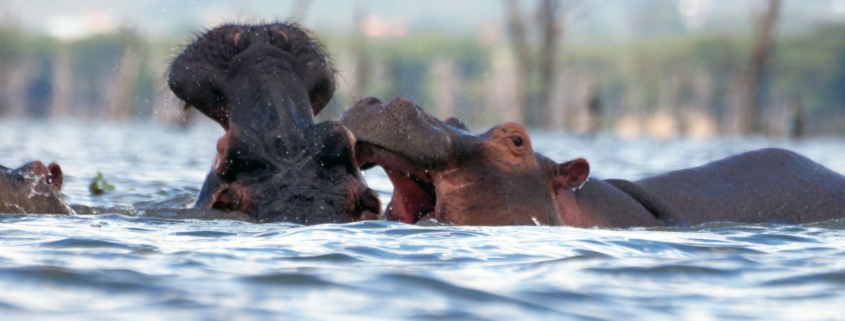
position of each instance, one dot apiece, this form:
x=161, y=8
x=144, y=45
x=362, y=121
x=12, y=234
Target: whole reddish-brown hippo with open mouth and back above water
x=441, y=171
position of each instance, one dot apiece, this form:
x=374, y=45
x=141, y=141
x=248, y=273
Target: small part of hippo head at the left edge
x=32, y=189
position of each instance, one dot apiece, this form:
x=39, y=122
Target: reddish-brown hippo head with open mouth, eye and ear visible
x=439, y=170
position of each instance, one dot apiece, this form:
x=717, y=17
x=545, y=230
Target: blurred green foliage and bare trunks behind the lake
x=663, y=79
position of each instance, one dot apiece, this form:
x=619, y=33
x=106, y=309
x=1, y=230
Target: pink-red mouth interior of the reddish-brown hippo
x=414, y=193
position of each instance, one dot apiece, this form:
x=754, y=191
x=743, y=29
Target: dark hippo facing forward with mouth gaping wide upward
x=263, y=84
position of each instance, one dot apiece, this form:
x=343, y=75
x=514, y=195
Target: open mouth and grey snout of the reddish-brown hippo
x=413, y=148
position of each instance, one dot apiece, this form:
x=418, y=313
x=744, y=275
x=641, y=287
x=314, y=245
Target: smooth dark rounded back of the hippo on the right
x=767, y=185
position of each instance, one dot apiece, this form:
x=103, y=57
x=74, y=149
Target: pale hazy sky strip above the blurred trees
x=615, y=19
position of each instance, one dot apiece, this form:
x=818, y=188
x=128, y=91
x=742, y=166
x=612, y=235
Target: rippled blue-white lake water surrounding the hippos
x=128, y=266
